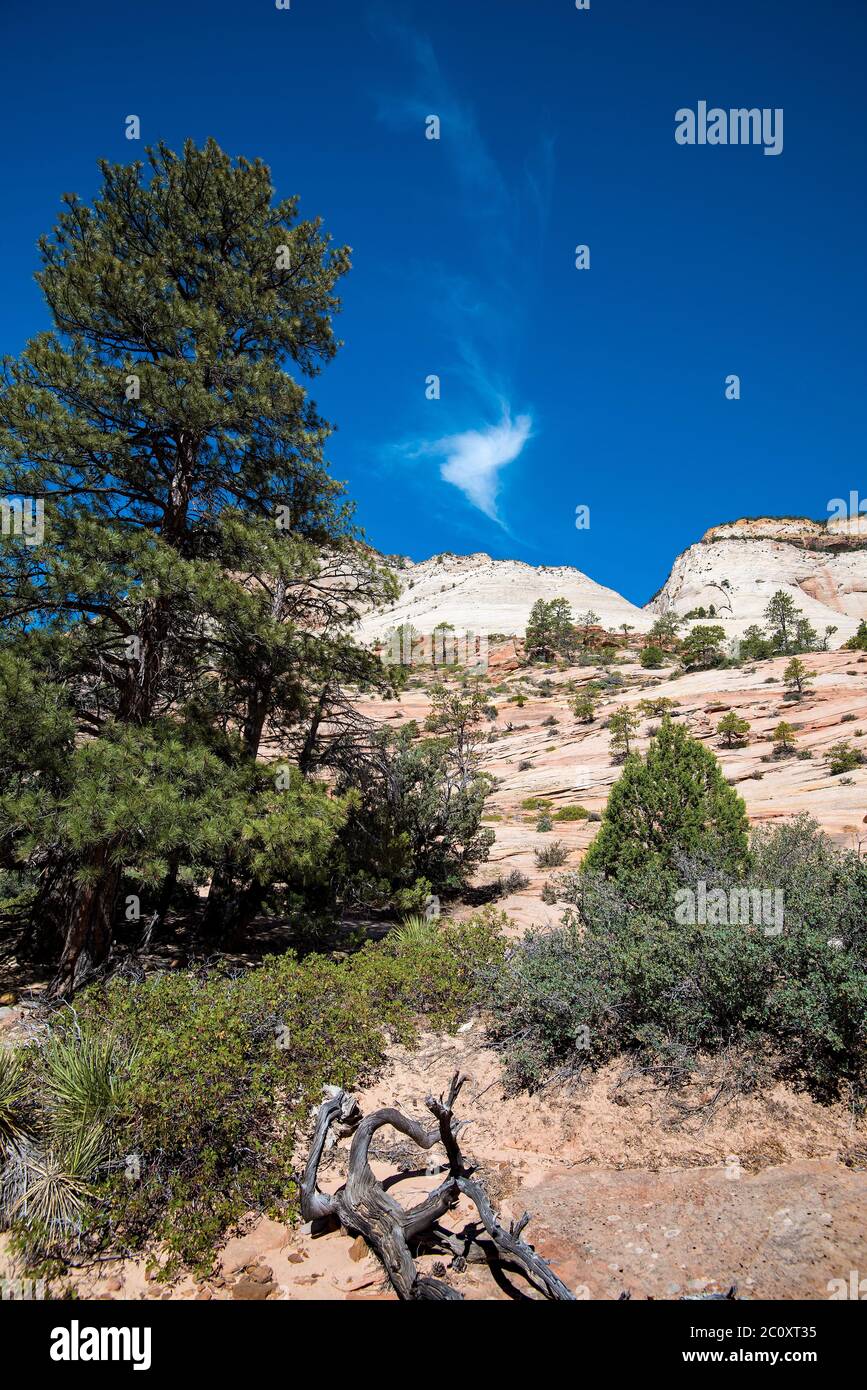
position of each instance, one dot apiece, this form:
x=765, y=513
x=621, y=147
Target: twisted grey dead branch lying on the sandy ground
x=394, y=1232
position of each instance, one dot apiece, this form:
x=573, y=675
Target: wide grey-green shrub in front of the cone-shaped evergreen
x=626, y=976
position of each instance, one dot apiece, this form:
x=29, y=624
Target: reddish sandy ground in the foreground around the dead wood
x=630, y=1191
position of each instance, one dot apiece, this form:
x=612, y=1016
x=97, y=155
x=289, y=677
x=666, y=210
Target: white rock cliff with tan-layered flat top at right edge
x=738, y=566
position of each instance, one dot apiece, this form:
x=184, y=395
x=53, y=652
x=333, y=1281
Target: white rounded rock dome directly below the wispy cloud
x=474, y=593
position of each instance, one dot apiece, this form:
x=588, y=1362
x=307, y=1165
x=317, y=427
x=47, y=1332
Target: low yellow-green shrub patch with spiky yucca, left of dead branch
x=185, y=1093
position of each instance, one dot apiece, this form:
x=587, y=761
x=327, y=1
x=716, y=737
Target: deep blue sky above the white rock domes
x=558, y=387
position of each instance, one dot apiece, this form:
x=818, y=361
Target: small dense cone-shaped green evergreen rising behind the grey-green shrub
x=676, y=801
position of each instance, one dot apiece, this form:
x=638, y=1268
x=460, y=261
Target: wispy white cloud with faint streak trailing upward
x=483, y=311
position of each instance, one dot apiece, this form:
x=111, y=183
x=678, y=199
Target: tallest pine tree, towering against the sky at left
x=199, y=564
